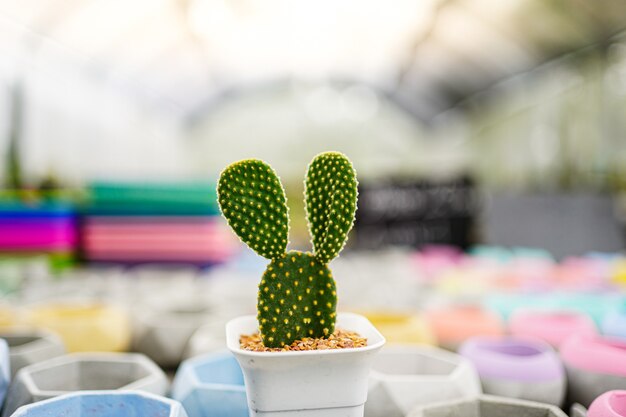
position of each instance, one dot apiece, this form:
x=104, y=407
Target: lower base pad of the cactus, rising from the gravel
x=297, y=299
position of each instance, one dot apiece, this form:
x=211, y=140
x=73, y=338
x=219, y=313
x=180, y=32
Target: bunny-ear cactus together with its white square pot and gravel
x=298, y=363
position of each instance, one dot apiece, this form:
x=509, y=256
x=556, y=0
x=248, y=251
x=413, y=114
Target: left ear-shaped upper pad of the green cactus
x=253, y=201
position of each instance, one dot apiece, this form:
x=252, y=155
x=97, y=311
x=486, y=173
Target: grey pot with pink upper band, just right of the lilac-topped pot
x=594, y=366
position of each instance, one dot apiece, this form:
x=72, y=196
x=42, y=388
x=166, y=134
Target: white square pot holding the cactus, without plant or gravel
x=324, y=383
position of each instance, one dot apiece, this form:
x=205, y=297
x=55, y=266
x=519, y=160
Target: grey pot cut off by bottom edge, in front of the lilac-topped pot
x=488, y=406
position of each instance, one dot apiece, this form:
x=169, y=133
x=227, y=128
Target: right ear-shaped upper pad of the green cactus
x=330, y=195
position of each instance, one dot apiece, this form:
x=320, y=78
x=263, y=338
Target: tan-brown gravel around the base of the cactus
x=340, y=339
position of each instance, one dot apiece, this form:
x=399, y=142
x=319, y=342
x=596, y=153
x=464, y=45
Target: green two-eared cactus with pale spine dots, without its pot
x=297, y=295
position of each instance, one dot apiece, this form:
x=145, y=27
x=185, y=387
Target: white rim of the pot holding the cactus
x=232, y=339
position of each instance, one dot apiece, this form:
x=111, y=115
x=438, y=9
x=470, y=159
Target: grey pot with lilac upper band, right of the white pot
x=519, y=368
